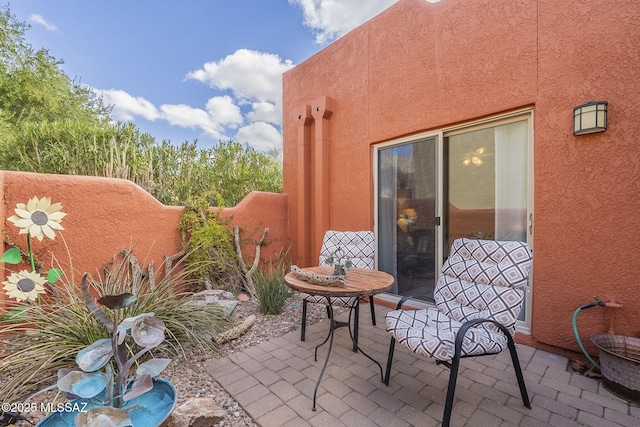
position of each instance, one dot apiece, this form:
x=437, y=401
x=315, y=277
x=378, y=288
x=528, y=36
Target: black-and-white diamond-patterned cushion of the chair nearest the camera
x=481, y=279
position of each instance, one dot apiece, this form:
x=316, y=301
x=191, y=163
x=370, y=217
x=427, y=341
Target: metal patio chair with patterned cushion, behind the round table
x=359, y=248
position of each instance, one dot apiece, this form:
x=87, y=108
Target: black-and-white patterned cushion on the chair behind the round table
x=358, y=246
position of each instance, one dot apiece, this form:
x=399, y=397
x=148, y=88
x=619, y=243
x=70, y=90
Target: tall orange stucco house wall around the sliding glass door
x=419, y=66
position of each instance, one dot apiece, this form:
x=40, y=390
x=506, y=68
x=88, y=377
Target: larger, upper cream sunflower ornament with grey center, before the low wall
x=38, y=218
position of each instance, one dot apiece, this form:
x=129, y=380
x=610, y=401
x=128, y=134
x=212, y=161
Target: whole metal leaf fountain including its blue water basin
x=105, y=388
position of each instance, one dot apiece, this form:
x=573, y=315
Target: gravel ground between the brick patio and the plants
x=191, y=380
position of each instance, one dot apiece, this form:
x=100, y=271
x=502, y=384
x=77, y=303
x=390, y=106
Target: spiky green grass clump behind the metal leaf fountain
x=63, y=325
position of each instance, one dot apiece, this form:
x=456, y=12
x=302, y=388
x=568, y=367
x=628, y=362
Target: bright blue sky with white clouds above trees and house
x=191, y=69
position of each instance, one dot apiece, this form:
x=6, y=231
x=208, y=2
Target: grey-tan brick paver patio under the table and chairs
x=274, y=383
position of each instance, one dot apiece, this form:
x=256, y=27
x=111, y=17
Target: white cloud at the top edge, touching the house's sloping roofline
x=330, y=19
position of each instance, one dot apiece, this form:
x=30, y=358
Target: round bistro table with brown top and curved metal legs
x=359, y=282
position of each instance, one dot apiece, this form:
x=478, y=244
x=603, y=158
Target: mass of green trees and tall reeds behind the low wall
x=51, y=124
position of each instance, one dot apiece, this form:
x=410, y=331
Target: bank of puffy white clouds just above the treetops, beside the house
x=254, y=79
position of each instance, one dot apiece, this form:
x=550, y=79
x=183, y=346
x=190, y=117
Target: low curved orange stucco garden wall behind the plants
x=105, y=216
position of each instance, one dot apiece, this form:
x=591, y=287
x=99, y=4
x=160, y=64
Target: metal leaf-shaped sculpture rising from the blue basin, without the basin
x=115, y=385
